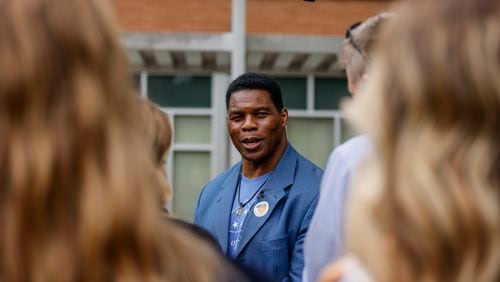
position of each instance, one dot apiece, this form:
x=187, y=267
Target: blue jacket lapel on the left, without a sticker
x=224, y=202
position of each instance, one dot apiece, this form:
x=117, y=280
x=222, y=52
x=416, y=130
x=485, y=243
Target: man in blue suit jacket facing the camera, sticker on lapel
x=259, y=210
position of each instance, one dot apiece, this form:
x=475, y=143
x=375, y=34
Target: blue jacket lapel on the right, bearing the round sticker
x=274, y=190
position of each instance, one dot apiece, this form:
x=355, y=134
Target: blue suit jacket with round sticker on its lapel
x=272, y=243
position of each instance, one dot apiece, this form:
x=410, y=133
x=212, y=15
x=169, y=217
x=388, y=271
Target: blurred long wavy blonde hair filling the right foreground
x=426, y=207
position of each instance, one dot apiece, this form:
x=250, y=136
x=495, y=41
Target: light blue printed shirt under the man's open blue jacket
x=248, y=188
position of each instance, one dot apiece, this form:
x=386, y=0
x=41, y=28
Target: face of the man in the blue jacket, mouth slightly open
x=255, y=125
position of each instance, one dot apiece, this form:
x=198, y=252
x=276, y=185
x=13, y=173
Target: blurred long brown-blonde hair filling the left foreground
x=72, y=158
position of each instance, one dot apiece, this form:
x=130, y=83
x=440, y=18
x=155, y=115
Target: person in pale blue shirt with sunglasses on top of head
x=325, y=238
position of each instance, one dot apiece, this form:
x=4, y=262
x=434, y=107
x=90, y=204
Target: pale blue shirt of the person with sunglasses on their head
x=325, y=238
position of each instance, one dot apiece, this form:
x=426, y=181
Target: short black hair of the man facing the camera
x=251, y=81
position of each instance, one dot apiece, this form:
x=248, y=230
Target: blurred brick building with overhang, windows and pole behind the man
x=185, y=53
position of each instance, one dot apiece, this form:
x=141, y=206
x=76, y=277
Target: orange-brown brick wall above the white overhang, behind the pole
x=323, y=17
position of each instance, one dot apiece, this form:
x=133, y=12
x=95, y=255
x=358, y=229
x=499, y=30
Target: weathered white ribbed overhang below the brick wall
x=209, y=52
